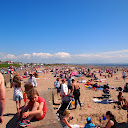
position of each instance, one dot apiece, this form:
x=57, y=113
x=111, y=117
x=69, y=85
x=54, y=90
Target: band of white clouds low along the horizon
x=63, y=57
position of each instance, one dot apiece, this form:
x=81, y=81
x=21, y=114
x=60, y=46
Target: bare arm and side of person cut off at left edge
x=2, y=97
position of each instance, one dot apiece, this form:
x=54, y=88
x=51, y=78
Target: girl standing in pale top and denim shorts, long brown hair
x=17, y=95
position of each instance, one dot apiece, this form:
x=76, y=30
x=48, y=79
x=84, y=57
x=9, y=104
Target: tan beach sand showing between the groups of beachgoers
x=89, y=108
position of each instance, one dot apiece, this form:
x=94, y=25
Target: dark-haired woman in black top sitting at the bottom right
x=111, y=120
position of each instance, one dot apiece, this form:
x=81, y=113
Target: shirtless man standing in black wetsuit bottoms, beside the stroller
x=76, y=92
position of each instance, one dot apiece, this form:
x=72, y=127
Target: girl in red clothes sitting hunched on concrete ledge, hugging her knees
x=36, y=106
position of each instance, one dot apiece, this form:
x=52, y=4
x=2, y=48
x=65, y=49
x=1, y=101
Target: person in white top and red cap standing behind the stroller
x=64, y=89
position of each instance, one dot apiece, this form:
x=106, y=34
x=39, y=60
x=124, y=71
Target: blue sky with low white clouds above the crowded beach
x=64, y=31
